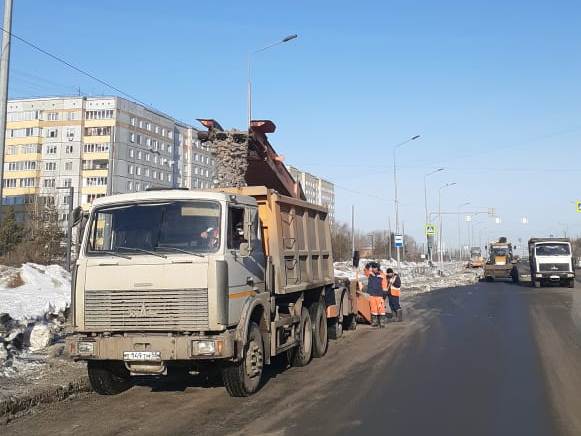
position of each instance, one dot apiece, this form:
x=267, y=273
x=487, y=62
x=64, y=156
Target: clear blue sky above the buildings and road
x=493, y=87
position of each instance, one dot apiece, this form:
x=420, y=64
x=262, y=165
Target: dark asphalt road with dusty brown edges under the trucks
x=488, y=359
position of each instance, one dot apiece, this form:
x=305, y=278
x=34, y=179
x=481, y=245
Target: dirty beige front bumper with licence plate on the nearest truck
x=163, y=347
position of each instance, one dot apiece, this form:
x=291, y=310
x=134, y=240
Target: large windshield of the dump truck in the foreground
x=169, y=226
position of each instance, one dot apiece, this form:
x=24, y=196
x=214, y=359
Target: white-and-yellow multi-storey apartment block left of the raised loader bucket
x=99, y=146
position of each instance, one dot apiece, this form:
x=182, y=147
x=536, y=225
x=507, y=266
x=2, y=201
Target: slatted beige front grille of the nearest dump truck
x=165, y=309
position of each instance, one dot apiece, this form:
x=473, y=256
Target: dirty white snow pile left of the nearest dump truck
x=33, y=302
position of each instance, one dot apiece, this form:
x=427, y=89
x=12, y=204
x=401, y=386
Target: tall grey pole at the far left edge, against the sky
x=4, y=69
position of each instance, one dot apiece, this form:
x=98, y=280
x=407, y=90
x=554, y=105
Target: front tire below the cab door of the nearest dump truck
x=242, y=378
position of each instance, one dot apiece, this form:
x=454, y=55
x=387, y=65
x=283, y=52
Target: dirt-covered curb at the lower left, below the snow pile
x=13, y=405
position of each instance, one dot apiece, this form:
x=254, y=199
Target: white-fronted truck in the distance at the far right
x=551, y=260
